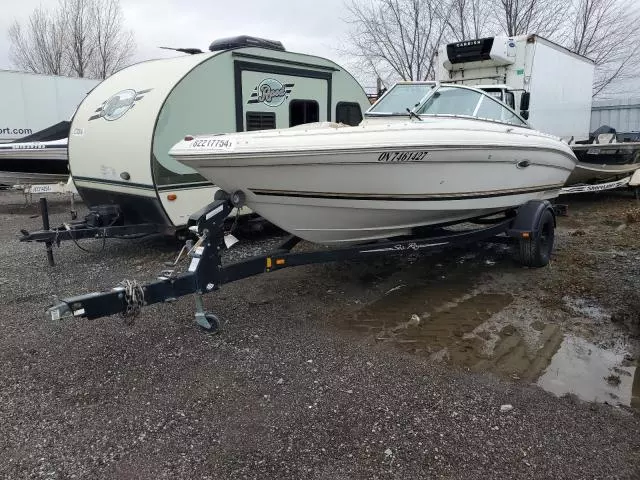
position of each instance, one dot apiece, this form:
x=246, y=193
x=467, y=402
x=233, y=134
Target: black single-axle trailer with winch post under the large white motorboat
x=532, y=225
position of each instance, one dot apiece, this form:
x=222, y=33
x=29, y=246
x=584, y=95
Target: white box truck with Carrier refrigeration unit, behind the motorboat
x=548, y=84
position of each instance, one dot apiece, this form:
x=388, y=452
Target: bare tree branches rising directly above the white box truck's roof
x=517, y=17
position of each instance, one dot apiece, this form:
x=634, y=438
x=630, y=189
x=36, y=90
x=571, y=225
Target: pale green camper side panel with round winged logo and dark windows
x=280, y=97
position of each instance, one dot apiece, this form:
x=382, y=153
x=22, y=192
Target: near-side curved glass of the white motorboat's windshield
x=465, y=102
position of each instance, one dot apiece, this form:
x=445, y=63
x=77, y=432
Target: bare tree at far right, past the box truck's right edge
x=606, y=32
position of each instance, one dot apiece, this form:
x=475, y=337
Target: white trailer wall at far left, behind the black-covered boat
x=32, y=102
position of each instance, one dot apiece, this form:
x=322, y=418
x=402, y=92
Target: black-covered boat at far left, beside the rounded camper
x=38, y=158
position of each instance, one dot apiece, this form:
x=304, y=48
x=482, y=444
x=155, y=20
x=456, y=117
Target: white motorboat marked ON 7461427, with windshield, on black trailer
x=426, y=154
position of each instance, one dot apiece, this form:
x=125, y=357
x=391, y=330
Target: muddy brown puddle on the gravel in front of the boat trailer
x=462, y=326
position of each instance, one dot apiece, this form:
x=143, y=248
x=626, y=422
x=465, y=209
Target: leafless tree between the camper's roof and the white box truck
x=397, y=38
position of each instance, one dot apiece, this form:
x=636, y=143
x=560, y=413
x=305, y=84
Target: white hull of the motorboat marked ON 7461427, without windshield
x=355, y=195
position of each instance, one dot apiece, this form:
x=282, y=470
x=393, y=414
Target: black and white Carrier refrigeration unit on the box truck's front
x=494, y=51
